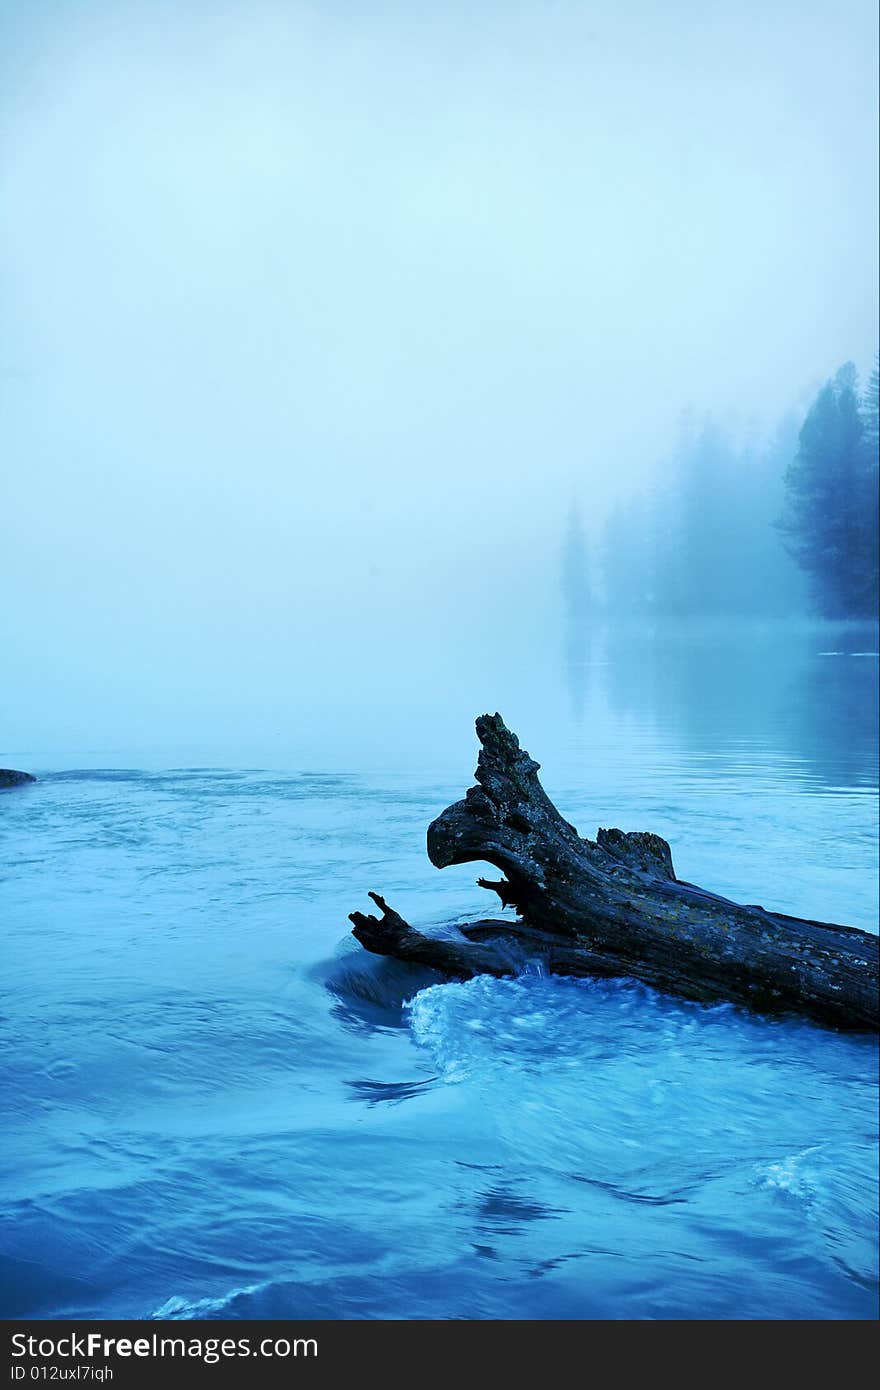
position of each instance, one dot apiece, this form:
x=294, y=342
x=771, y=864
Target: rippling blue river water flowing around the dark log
x=215, y=1104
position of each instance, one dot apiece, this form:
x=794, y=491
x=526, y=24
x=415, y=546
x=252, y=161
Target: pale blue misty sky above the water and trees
x=316, y=316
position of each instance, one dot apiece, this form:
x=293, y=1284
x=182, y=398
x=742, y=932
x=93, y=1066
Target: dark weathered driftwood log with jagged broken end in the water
x=614, y=907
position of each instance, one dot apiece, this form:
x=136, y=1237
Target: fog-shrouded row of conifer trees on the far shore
x=740, y=530
